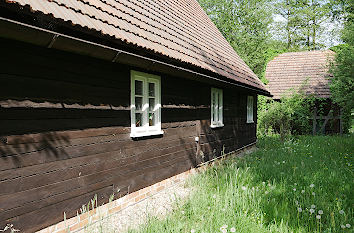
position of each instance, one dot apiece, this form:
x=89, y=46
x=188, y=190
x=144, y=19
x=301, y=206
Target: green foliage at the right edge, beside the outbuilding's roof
x=342, y=85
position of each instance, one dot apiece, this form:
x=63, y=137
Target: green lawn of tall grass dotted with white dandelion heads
x=275, y=189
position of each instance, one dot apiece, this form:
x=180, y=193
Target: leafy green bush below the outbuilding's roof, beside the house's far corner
x=289, y=116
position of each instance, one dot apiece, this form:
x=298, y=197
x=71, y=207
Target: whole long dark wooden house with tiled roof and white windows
x=100, y=96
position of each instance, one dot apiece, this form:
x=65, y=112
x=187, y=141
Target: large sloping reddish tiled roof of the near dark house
x=179, y=30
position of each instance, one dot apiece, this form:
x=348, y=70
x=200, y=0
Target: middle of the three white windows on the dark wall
x=216, y=108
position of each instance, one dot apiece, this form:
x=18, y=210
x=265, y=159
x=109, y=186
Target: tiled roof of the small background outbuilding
x=291, y=70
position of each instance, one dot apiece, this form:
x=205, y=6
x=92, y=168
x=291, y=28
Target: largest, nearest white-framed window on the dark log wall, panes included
x=145, y=104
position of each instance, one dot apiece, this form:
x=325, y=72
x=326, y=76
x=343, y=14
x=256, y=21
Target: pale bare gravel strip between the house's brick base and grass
x=131, y=217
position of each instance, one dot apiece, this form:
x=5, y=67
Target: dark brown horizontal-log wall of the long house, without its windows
x=64, y=131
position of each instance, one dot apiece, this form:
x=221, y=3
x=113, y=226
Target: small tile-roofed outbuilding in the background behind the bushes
x=306, y=71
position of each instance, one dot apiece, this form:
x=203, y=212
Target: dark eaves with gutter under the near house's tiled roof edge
x=12, y=29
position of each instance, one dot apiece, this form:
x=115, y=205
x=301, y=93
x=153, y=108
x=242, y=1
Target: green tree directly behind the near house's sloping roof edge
x=245, y=25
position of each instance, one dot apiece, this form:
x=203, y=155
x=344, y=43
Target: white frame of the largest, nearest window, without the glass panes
x=145, y=130
